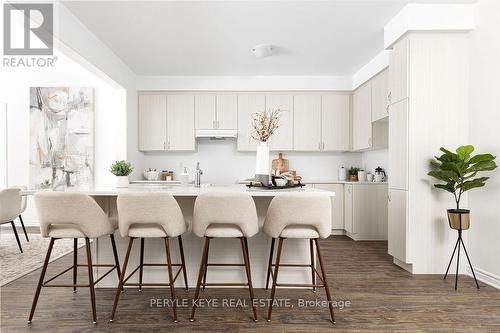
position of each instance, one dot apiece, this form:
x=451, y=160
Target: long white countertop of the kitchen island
x=188, y=191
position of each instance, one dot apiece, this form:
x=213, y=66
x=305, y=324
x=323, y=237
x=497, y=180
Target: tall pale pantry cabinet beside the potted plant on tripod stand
x=428, y=109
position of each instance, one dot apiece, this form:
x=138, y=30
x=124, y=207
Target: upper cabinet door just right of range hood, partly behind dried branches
x=247, y=105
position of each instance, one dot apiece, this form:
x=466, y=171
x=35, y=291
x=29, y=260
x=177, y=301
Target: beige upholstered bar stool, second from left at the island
x=150, y=215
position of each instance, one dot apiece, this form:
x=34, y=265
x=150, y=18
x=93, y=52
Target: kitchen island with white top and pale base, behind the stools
x=221, y=250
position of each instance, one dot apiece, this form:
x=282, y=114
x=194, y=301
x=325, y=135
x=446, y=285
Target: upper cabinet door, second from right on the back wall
x=307, y=123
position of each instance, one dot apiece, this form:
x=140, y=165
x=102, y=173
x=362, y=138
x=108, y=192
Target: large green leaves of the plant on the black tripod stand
x=457, y=170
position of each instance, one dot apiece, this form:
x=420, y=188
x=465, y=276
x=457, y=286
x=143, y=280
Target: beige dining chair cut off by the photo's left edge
x=10, y=209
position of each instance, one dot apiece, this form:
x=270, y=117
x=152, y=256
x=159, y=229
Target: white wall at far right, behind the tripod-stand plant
x=484, y=235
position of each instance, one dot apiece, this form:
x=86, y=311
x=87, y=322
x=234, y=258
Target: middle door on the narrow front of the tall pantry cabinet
x=398, y=145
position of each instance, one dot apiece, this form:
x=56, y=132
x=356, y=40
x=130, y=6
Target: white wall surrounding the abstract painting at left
x=109, y=107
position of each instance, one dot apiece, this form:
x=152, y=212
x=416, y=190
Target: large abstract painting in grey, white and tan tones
x=61, y=137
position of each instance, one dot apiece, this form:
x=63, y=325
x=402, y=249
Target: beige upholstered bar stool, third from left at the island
x=224, y=215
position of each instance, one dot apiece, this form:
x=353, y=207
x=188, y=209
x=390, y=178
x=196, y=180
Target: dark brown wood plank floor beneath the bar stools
x=383, y=298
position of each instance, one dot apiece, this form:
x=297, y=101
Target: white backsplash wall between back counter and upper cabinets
x=222, y=163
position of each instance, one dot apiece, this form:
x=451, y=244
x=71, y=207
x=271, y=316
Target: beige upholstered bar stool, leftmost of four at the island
x=72, y=215
